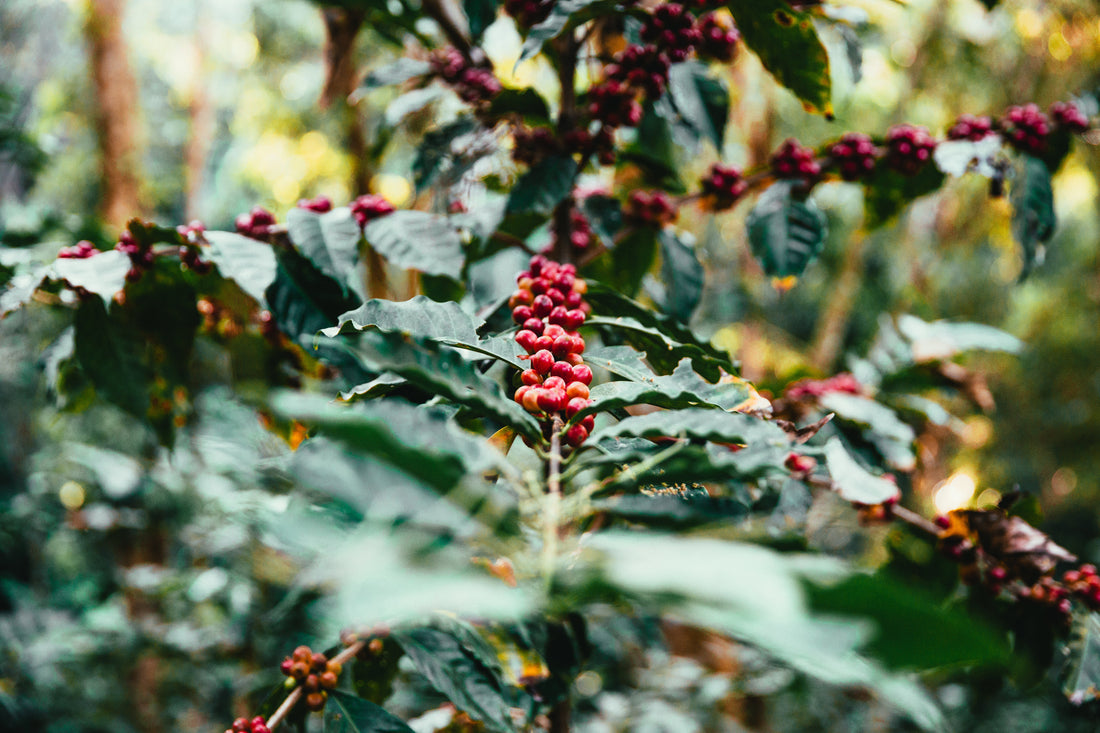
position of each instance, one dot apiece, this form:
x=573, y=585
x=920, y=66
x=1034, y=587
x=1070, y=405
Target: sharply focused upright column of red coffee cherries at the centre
x=549, y=308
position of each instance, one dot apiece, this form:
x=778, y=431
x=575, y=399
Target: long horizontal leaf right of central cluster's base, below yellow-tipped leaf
x=697, y=423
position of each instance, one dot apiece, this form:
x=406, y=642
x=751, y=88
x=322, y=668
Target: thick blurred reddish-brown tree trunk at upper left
x=116, y=105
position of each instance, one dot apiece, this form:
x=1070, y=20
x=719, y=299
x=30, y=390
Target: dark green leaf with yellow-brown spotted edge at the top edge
x=788, y=46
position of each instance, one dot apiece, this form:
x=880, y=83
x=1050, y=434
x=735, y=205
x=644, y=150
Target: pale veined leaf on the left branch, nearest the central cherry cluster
x=417, y=240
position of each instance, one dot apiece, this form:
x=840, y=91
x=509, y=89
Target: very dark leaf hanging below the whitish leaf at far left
x=113, y=355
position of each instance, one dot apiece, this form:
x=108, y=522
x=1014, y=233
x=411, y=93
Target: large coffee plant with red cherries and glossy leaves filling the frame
x=499, y=504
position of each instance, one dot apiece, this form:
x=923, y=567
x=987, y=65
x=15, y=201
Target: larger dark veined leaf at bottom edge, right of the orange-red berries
x=469, y=684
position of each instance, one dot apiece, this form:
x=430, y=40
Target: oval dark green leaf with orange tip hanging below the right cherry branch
x=786, y=235
